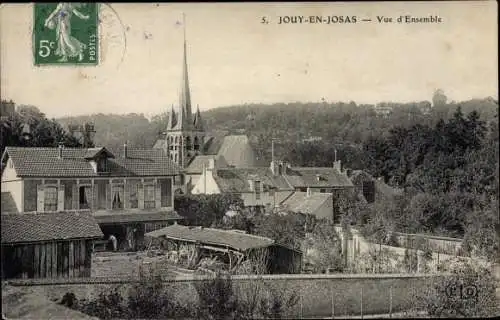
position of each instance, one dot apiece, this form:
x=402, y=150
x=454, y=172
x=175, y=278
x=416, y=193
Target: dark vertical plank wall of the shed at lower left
x=65, y=259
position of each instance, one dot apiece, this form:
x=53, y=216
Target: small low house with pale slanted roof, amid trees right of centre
x=317, y=204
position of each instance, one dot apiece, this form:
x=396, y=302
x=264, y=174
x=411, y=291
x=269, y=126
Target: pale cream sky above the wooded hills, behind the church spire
x=233, y=58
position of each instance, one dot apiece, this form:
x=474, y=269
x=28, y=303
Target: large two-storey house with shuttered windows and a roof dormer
x=128, y=194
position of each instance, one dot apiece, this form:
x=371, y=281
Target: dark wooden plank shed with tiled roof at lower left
x=48, y=245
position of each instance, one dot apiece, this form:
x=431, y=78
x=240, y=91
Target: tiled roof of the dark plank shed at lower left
x=36, y=227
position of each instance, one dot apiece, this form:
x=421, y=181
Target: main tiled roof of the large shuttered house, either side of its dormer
x=44, y=162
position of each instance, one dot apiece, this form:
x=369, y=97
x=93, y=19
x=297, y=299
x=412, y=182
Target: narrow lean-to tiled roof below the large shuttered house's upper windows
x=135, y=215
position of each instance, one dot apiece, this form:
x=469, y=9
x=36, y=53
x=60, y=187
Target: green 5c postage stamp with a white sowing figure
x=65, y=33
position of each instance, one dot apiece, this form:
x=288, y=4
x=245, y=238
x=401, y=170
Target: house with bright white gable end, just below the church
x=257, y=186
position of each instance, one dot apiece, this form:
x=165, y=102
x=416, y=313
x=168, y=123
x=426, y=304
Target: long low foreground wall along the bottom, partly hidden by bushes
x=319, y=295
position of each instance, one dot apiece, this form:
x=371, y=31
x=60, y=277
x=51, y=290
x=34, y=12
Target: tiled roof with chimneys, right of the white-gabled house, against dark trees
x=317, y=177
